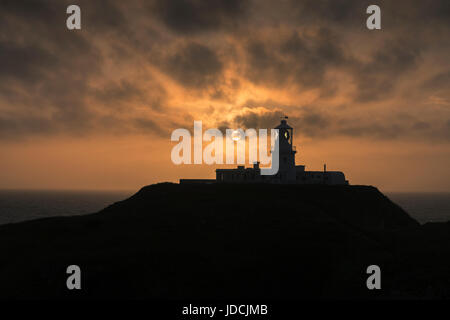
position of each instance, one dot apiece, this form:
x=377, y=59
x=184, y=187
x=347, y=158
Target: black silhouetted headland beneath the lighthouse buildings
x=171, y=241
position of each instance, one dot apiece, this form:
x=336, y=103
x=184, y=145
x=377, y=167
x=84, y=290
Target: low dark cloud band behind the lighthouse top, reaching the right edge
x=317, y=123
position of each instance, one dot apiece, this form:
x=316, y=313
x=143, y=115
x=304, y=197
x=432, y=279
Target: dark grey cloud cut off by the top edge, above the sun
x=194, y=16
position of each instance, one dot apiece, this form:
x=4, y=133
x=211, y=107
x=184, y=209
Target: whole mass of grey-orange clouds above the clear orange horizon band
x=250, y=61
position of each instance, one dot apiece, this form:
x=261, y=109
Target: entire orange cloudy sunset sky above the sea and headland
x=94, y=108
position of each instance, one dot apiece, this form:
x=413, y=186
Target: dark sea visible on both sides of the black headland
x=22, y=205
